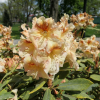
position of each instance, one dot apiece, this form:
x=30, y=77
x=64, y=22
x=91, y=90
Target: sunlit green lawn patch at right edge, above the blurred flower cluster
x=93, y=31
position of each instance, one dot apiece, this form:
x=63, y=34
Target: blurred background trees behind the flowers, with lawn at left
x=16, y=12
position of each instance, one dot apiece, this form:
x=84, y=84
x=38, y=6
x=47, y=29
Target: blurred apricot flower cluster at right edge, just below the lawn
x=89, y=47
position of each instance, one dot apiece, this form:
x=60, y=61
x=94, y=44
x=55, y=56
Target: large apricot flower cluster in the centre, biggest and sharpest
x=47, y=46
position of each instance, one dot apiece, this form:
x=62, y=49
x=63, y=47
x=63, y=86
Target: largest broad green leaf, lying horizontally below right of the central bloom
x=78, y=84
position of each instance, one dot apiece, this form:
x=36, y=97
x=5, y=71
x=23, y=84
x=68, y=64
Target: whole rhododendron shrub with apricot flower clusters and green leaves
x=50, y=62
